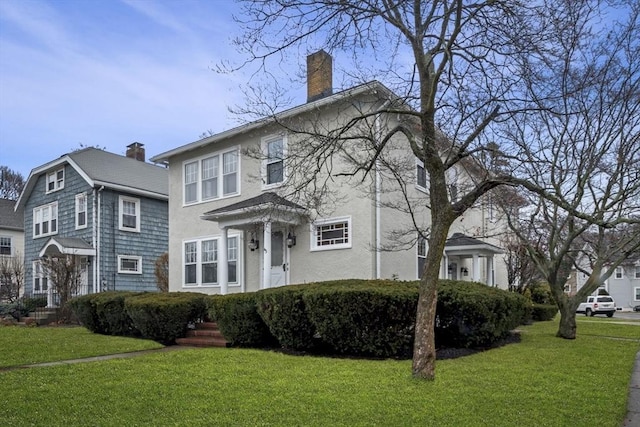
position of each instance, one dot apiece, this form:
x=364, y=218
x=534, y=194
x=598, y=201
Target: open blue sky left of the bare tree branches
x=111, y=72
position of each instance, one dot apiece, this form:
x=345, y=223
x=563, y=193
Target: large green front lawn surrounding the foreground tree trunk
x=543, y=381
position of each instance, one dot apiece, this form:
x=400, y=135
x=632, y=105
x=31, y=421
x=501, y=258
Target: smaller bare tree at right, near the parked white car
x=582, y=151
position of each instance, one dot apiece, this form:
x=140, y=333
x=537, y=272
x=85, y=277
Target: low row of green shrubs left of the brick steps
x=158, y=316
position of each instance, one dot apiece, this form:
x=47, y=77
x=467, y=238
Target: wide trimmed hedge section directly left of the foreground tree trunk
x=364, y=318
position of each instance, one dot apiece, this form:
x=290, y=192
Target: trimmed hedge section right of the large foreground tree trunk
x=473, y=315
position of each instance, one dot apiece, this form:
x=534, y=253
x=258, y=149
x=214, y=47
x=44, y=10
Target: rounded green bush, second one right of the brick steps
x=283, y=311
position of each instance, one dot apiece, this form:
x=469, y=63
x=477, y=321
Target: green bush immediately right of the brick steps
x=239, y=321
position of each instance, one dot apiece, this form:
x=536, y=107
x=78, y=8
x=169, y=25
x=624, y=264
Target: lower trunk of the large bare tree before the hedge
x=424, y=349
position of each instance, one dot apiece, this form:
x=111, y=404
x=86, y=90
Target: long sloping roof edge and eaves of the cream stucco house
x=374, y=87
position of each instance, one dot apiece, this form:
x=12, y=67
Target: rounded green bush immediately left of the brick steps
x=163, y=317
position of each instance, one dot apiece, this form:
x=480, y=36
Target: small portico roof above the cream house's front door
x=259, y=209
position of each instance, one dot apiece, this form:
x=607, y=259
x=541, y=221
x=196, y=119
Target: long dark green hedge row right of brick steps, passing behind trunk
x=366, y=318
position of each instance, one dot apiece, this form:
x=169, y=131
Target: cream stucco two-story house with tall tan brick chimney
x=231, y=229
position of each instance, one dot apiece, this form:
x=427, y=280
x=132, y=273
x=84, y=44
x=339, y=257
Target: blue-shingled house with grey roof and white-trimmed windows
x=108, y=210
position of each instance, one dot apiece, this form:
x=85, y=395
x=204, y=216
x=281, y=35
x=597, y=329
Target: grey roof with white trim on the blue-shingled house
x=101, y=168
